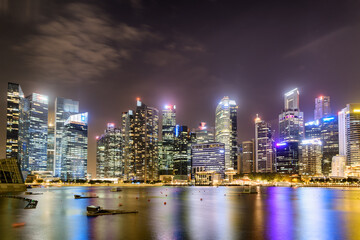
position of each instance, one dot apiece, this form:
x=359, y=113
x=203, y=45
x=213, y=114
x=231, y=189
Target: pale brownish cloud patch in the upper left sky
x=81, y=45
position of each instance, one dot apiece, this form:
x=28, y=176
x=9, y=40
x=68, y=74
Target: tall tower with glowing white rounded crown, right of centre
x=226, y=130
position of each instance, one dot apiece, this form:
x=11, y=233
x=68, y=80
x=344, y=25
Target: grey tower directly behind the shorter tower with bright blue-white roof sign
x=64, y=108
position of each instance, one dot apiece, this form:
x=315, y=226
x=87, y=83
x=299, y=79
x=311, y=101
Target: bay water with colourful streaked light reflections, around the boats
x=223, y=213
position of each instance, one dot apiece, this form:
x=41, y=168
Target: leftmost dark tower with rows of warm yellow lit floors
x=15, y=98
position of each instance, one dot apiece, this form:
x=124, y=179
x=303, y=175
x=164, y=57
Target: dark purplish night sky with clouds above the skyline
x=188, y=53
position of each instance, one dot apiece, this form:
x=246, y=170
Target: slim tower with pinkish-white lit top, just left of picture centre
x=166, y=160
